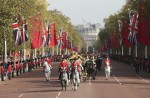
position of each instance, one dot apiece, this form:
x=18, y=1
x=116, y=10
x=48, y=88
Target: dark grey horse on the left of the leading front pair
x=64, y=79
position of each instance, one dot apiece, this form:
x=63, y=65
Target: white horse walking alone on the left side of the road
x=47, y=70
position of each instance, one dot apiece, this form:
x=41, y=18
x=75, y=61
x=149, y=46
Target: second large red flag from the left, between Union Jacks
x=53, y=40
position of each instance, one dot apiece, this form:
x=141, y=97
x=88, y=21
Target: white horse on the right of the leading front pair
x=75, y=77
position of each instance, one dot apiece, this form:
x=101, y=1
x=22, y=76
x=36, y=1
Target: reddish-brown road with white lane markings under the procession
x=124, y=83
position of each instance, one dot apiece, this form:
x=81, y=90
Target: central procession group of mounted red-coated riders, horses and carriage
x=79, y=67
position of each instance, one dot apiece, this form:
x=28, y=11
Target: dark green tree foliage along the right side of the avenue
x=111, y=23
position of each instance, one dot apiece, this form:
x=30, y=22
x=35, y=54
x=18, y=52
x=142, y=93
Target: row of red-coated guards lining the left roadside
x=15, y=68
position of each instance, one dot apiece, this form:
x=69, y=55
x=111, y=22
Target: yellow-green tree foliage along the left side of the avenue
x=27, y=9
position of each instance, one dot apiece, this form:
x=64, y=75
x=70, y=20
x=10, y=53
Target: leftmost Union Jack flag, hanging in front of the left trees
x=17, y=33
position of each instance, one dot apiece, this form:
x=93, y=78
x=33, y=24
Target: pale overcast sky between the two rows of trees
x=84, y=11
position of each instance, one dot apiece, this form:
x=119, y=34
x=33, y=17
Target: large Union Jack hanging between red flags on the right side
x=133, y=27
